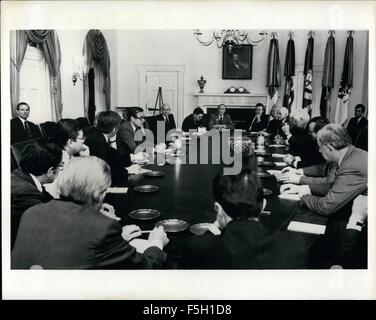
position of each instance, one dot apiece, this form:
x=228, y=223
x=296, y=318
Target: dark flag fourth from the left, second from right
x=327, y=78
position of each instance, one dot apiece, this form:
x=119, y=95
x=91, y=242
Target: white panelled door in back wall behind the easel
x=170, y=79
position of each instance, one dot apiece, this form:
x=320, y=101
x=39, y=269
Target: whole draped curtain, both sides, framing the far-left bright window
x=49, y=43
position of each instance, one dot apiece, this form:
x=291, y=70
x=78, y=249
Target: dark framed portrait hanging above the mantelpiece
x=237, y=62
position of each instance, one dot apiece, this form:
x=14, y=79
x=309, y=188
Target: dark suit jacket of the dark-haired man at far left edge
x=24, y=194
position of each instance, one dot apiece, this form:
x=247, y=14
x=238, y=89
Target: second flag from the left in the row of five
x=289, y=72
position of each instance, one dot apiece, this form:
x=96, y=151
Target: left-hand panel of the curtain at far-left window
x=18, y=44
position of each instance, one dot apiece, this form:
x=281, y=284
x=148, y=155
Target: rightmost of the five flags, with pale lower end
x=345, y=83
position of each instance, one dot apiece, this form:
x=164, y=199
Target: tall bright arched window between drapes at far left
x=35, y=86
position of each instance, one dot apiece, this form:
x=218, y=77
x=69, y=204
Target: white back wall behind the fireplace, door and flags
x=131, y=48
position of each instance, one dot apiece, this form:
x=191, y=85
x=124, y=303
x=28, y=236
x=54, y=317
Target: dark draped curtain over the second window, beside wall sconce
x=96, y=51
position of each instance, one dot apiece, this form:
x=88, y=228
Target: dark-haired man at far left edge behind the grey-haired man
x=40, y=163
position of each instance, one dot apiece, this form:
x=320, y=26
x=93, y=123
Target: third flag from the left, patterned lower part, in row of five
x=308, y=75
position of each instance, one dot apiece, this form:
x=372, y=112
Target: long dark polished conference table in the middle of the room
x=185, y=192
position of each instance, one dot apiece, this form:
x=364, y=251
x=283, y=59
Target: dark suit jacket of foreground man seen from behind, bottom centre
x=246, y=245
